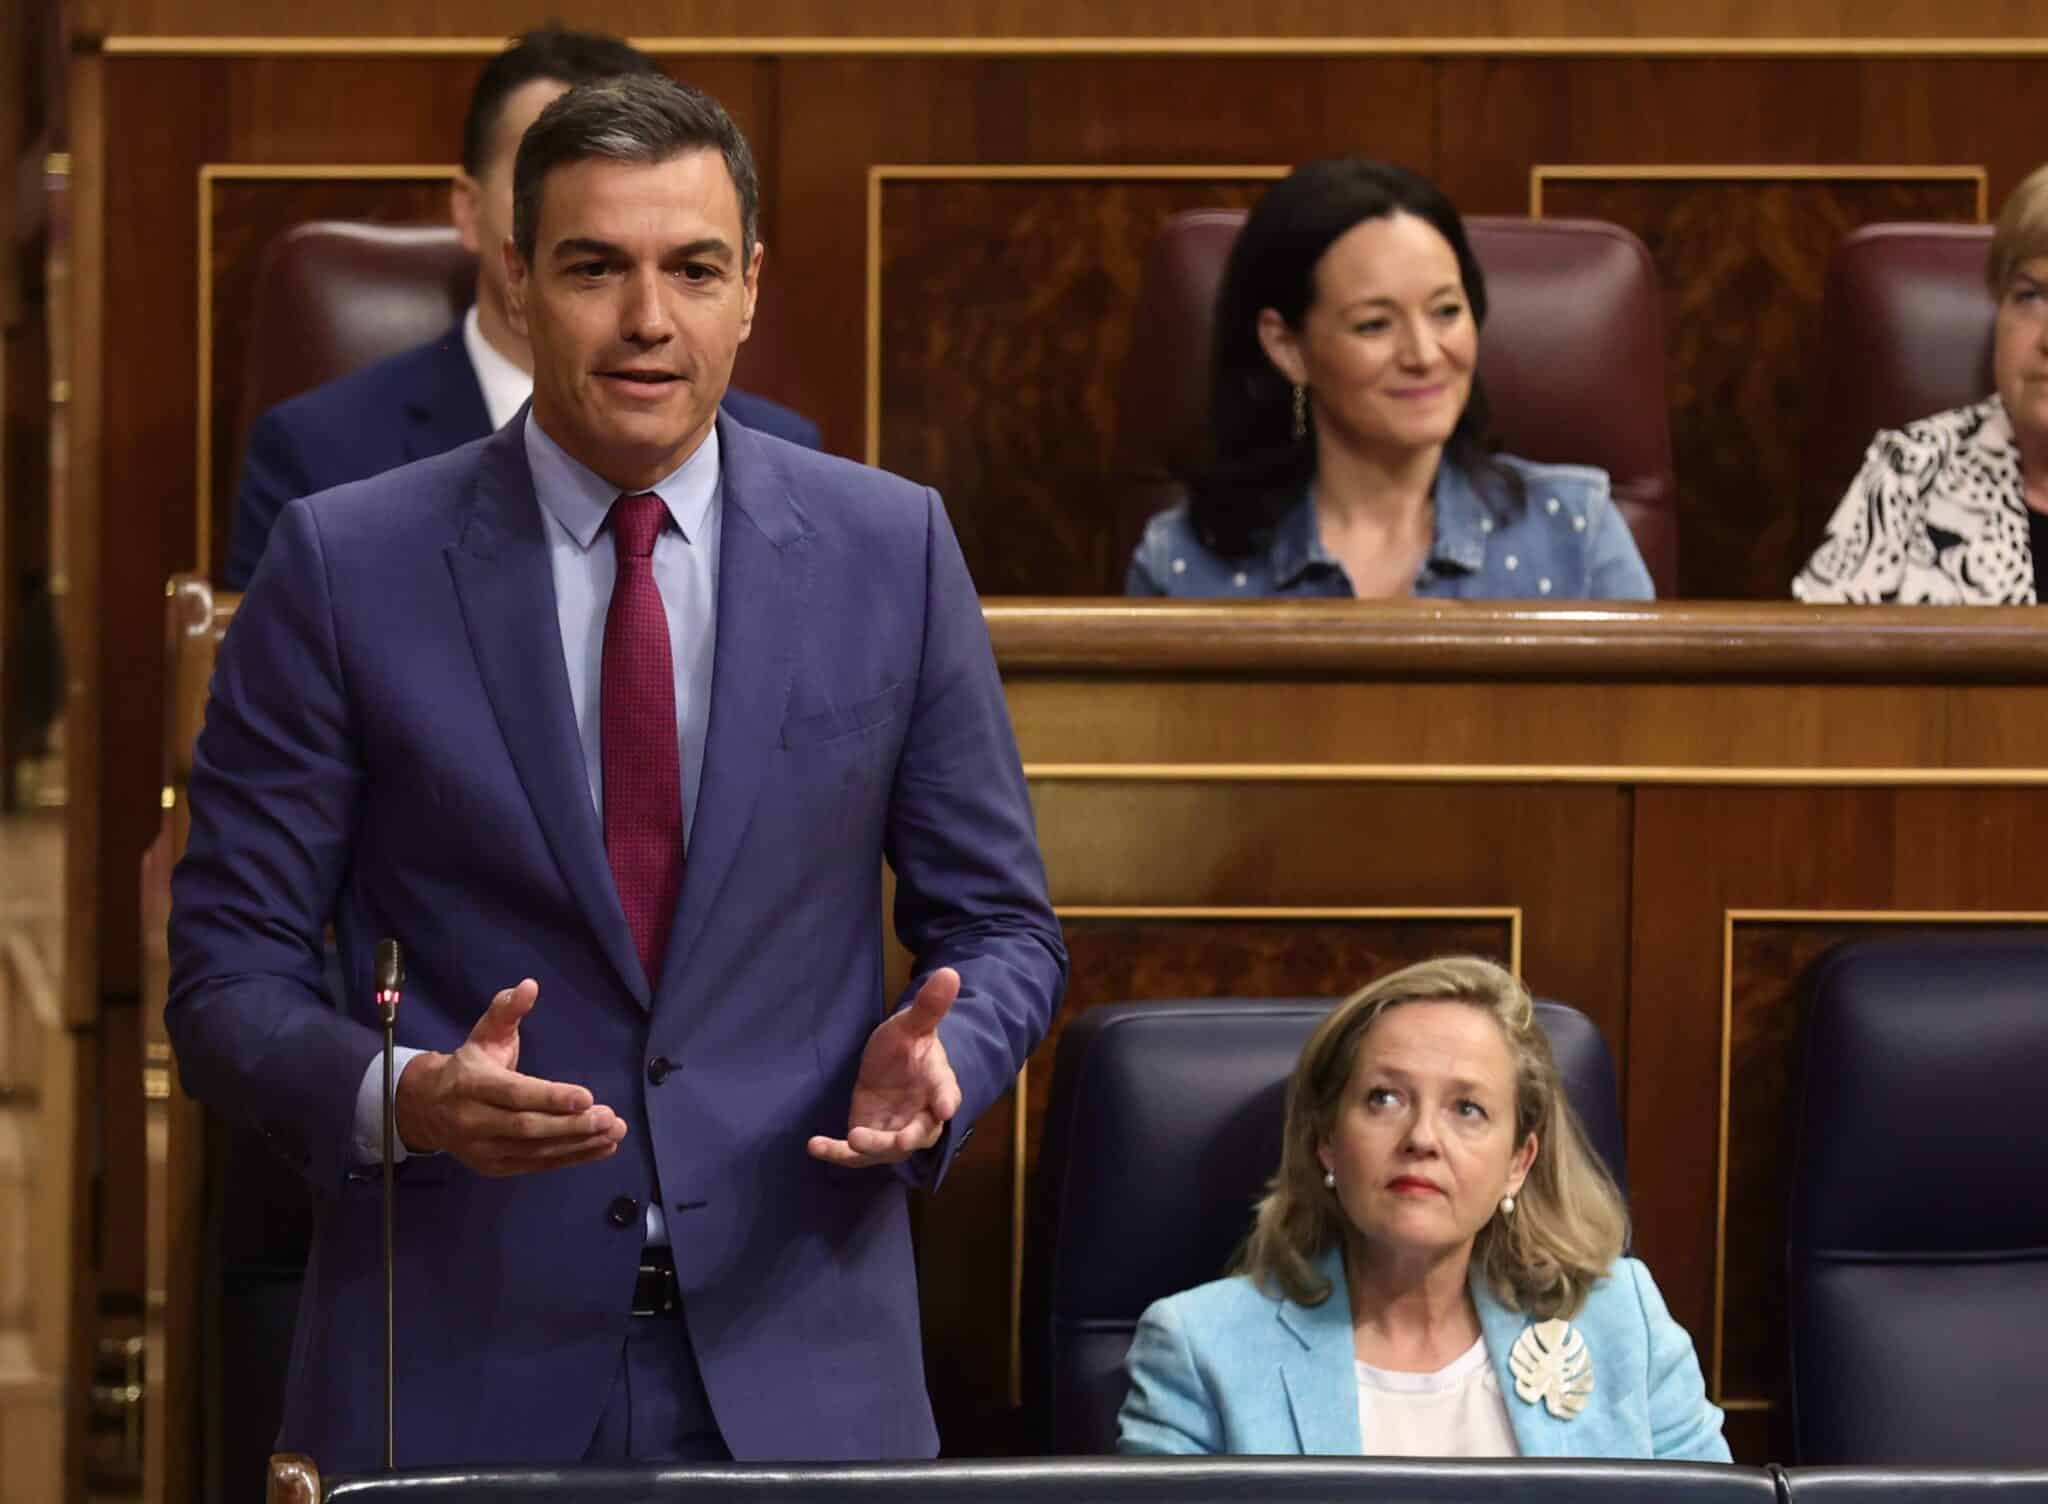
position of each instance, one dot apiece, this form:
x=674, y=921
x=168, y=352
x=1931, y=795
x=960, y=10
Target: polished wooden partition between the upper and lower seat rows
x=1674, y=814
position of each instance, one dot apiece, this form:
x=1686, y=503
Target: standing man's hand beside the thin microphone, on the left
x=480, y=1110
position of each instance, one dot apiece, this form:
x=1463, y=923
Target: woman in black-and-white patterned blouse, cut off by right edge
x=1955, y=509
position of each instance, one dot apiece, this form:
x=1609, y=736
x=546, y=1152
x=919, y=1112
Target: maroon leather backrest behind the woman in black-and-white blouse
x=1906, y=333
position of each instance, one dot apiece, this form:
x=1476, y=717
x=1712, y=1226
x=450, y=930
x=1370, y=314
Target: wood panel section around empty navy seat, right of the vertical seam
x=1736, y=892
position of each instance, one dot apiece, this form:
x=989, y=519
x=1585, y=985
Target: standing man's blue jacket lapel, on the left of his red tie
x=507, y=595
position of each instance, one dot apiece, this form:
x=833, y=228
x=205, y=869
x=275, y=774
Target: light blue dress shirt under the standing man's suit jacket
x=574, y=505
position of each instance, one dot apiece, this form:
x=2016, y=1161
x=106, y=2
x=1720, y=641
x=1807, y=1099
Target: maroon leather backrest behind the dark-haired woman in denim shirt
x=1572, y=360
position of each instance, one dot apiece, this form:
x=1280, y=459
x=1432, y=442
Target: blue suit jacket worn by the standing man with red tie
x=392, y=741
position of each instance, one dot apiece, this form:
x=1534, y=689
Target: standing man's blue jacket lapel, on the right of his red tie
x=763, y=589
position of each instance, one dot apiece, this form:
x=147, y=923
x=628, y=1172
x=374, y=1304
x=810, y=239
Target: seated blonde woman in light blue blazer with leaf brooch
x=1437, y=1269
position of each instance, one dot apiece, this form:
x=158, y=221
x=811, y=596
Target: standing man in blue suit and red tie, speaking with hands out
x=613, y=720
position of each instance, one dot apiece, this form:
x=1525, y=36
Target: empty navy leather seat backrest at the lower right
x=1920, y=1206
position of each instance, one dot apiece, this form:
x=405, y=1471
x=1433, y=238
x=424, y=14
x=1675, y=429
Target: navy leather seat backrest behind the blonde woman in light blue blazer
x=1162, y=1130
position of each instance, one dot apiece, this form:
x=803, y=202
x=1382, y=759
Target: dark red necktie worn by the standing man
x=642, y=761
